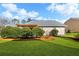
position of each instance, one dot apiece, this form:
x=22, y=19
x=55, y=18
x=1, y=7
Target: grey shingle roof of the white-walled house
x=46, y=23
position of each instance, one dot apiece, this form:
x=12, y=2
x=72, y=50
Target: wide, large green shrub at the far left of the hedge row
x=10, y=32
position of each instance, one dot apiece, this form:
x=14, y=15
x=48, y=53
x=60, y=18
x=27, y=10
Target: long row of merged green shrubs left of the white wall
x=16, y=32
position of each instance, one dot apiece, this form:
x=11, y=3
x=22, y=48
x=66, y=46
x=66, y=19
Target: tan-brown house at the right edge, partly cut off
x=72, y=25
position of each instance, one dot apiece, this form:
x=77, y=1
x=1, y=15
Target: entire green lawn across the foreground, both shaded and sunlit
x=58, y=47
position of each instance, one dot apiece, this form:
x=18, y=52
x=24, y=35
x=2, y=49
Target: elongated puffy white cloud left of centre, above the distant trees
x=27, y=14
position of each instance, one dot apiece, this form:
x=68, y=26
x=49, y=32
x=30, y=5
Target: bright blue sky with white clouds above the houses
x=40, y=11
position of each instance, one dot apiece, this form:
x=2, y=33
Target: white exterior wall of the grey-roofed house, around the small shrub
x=48, y=29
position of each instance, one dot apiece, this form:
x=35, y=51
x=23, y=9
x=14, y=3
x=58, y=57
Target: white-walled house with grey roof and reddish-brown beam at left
x=46, y=25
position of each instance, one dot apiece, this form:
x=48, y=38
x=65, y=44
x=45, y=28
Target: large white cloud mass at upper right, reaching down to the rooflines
x=67, y=10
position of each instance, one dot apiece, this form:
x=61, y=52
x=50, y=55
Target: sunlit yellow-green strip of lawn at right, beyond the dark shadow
x=66, y=42
